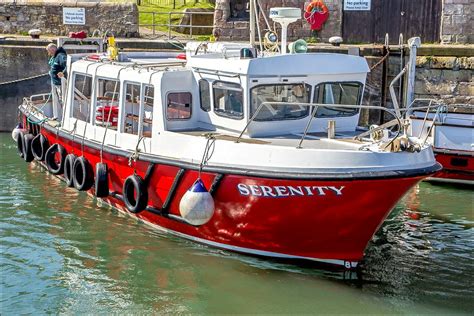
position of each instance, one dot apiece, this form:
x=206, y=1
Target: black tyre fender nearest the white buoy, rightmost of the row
x=135, y=194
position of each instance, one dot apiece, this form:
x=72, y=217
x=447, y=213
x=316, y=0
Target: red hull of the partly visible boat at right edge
x=458, y=166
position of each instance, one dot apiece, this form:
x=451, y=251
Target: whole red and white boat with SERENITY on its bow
x=242, y=150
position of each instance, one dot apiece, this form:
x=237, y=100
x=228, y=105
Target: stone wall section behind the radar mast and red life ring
x=227, y=28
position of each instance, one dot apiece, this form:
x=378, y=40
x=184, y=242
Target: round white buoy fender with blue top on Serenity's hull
x=197, y=205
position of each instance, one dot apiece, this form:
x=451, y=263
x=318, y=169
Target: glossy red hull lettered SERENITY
x=324, y=220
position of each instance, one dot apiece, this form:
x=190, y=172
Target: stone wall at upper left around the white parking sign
x=120, y=18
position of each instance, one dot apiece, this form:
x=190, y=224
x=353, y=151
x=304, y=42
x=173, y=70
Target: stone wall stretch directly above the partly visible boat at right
x=448, y=78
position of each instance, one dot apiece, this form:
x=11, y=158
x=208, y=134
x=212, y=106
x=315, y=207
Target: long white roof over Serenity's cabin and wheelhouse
x=290, y=65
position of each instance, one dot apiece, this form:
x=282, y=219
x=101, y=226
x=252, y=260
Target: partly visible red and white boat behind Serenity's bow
x=451, y=133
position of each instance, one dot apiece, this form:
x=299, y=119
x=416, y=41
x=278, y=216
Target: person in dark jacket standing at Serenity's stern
x=57, y=64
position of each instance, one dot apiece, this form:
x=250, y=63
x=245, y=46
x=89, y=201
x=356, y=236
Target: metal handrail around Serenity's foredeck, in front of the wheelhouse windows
x=317, y=105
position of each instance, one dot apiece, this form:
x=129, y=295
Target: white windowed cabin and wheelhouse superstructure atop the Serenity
x=169, y=95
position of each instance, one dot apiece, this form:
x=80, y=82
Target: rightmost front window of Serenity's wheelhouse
x=348, y=93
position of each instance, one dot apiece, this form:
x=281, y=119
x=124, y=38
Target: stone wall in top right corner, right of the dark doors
x=457, y=24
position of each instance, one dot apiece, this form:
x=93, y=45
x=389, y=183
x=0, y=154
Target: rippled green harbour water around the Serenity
x=63, y=253
